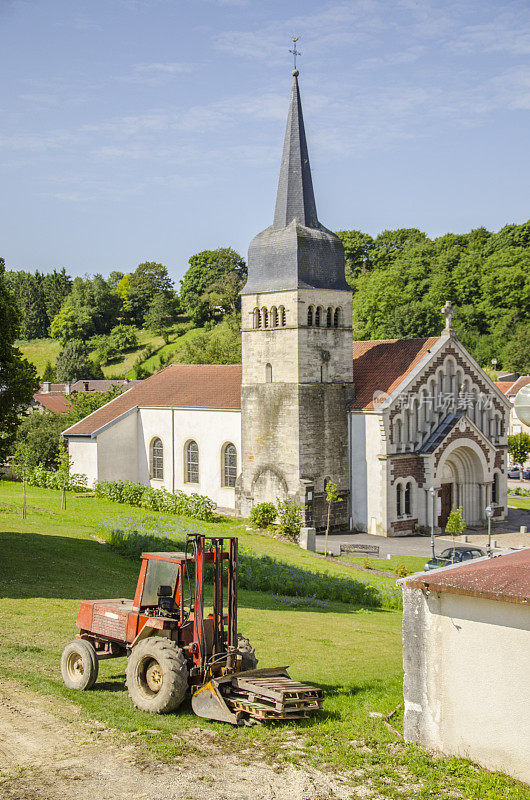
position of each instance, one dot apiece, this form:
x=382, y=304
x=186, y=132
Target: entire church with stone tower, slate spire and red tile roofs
x=387, y=421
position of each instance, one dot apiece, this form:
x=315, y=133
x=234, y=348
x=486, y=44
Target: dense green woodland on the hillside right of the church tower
x=401, y=279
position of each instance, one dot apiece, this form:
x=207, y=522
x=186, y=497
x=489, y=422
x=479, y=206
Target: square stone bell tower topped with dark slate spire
x=297, y=348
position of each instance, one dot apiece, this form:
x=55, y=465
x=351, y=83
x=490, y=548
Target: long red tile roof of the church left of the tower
x=184, y=385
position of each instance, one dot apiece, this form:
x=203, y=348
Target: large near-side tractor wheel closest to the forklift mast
x=157, y=675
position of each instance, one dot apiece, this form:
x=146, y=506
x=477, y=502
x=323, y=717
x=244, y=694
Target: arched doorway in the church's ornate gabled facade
x=461, y=481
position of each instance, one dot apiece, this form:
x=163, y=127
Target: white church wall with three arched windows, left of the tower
x=210, y=429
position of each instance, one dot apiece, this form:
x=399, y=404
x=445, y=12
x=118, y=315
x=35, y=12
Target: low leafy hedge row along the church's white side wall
x=136, y=494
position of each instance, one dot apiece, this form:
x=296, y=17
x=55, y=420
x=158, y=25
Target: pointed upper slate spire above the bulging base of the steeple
x=295, y=198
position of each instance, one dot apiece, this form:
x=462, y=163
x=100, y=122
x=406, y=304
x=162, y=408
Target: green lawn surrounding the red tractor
x=52, y=560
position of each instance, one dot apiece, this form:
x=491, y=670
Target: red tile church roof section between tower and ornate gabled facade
x=382, y=365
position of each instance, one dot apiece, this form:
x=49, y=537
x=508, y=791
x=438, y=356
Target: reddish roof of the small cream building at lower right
x=505, y=577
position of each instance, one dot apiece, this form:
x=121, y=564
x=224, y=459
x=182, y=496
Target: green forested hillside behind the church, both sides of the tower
x=131, y=324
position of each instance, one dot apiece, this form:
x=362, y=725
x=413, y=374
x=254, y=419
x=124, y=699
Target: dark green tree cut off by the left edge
x=18, y=378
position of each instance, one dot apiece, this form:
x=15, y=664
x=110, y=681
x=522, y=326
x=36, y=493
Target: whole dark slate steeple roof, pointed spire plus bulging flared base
x=296, y=251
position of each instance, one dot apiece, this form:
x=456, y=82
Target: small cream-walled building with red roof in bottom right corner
x=466, y=654
